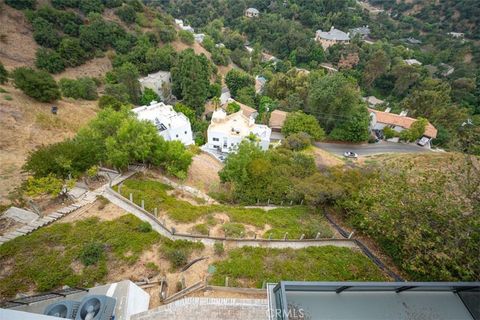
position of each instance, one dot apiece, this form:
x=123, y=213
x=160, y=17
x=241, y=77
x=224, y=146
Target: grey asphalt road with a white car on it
x=371, y=148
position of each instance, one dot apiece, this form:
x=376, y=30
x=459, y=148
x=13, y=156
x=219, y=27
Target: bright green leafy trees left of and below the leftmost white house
x=115, y=138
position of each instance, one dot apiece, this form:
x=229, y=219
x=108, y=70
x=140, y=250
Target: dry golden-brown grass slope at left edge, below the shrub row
x=26, y=124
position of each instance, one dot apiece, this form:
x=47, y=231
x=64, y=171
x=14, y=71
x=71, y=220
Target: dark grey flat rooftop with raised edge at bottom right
x=375, y=300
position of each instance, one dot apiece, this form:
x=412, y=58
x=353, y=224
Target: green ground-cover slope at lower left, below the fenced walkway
x=78, y=254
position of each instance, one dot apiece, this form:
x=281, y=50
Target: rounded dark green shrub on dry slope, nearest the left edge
x=37, y=84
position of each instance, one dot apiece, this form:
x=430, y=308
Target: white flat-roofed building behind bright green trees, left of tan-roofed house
x=171, y=125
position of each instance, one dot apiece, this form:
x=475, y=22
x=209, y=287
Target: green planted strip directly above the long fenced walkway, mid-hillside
x=294, y=220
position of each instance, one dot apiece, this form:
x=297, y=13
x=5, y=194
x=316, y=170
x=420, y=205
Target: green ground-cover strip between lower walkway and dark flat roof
x=249, y=266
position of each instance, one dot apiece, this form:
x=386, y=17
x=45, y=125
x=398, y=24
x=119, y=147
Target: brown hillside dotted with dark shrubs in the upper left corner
x=84, y=41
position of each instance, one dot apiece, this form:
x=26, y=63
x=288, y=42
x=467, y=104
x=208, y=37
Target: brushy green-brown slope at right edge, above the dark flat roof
x=423, y=210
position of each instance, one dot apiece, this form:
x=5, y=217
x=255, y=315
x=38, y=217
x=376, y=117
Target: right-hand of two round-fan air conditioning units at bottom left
x=96, y=307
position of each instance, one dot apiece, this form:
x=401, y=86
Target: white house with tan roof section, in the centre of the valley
x=226, y=132
